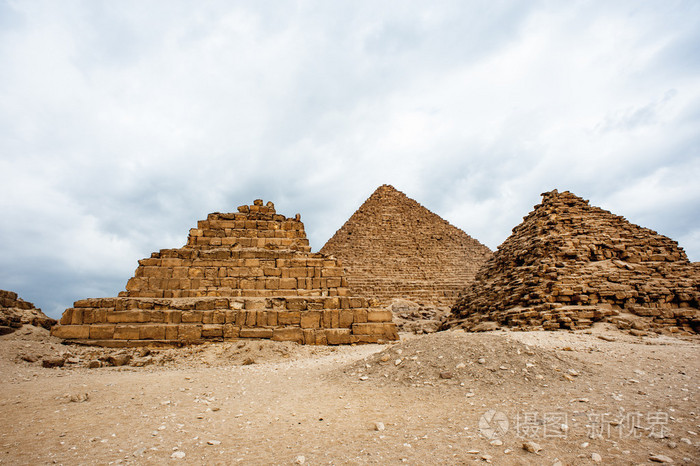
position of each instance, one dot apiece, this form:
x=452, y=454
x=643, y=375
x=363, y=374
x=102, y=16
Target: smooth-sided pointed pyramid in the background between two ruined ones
x=393, y=247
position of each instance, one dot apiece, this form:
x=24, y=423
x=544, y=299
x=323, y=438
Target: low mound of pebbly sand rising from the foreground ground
x=470, y=361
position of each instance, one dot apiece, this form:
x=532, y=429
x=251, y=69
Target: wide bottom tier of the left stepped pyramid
x=149, y=322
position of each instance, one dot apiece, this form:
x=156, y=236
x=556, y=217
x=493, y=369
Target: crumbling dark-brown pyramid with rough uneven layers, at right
x=569, y=264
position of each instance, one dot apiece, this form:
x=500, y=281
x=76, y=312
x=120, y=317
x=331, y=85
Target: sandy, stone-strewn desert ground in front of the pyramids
x=597, y=396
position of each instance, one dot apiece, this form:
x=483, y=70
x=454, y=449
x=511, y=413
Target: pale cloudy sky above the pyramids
x=123, y=123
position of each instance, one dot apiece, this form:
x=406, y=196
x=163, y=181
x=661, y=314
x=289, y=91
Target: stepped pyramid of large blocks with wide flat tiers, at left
x=248, y=274
